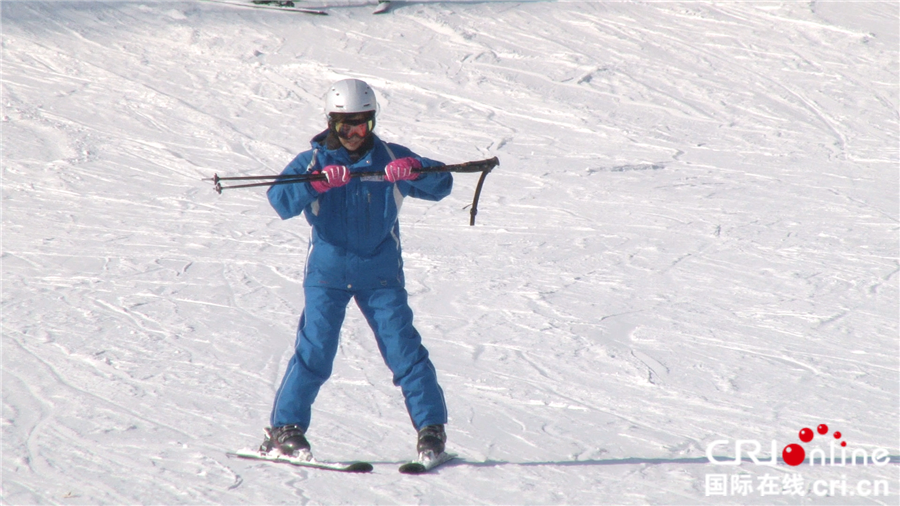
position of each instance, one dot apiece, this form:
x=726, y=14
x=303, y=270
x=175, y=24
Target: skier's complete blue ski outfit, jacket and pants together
x=354, y=252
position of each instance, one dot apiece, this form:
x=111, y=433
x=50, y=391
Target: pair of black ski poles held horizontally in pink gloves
x=483, y=166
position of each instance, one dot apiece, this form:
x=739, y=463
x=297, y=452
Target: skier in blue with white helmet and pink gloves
x=354, y=252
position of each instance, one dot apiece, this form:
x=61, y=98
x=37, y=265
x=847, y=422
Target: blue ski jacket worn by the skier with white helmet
x=355, y=241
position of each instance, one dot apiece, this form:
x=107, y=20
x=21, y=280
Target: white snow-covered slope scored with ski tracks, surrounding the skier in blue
x=692, y=236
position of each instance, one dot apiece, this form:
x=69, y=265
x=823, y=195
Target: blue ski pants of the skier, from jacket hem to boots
x=390, y=317
